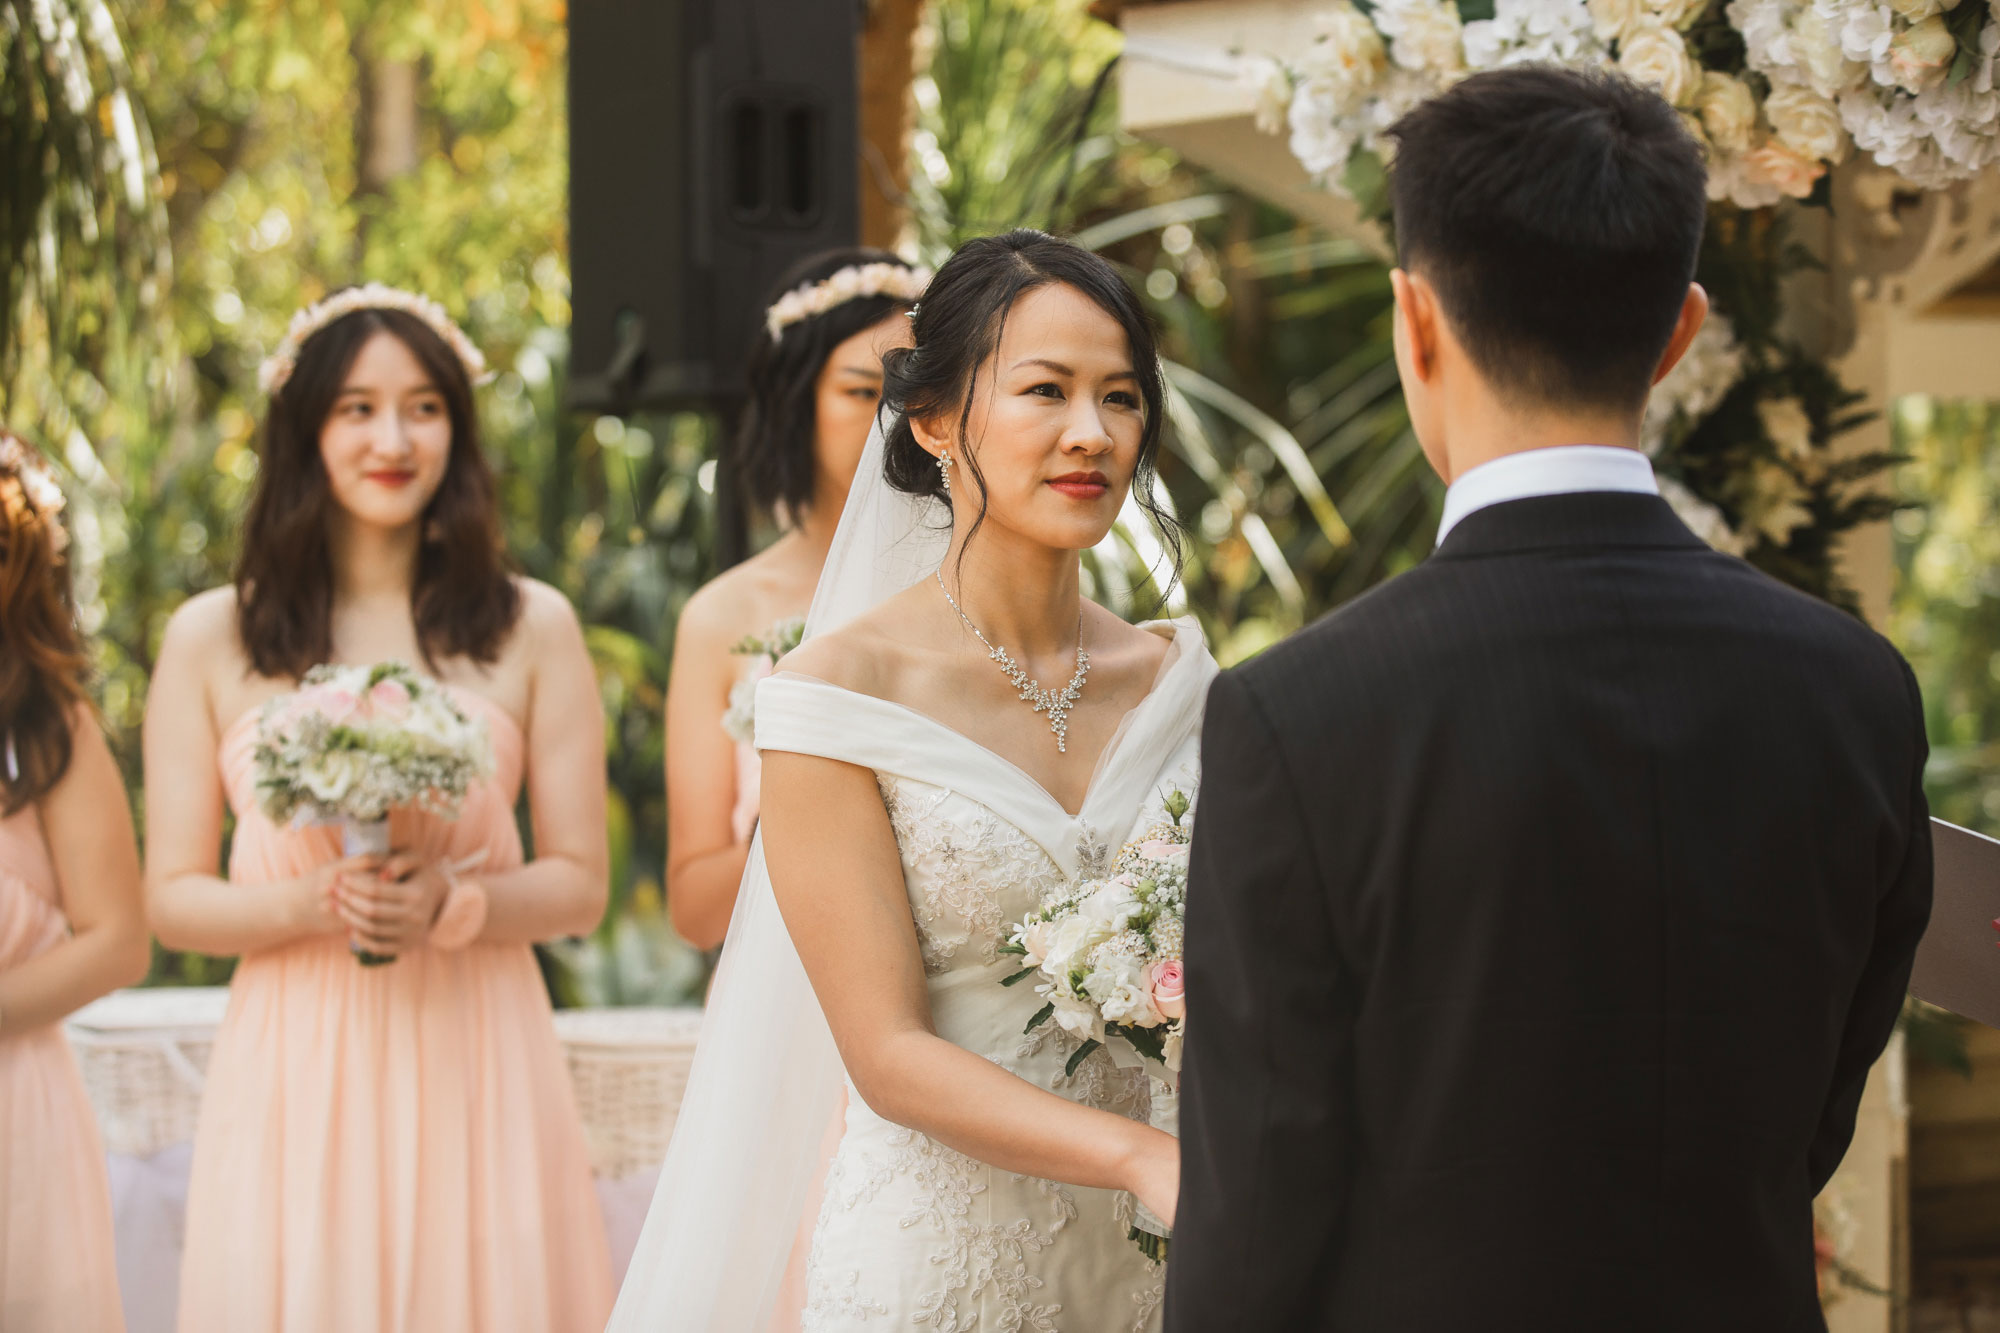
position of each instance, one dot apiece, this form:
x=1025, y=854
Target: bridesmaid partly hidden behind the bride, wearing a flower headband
x=815, y=387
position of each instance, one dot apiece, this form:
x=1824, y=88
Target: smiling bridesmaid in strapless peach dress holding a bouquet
x=383, y=1148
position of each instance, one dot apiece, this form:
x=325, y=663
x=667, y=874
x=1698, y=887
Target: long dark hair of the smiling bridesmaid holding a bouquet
x=465, y=599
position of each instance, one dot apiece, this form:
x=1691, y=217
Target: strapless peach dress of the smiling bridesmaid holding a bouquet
x=389, y=1150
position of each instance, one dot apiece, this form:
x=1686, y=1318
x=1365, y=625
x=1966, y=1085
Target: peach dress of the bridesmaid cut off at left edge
x=57, y=1264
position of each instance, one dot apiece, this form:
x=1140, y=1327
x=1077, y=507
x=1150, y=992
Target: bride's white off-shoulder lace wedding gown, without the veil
x=913, y=1234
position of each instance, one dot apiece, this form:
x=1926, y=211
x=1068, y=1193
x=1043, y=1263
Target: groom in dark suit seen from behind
x=1551, y=904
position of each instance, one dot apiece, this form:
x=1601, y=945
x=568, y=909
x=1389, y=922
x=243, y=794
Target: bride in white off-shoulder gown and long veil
x=959, y=736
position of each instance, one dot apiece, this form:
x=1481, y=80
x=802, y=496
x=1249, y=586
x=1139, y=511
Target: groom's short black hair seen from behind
x=1559, y=217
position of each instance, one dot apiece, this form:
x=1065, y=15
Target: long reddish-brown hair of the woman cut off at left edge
x=43, y=661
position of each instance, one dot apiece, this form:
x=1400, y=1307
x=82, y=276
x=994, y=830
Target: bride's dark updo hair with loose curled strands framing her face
x=959, y=327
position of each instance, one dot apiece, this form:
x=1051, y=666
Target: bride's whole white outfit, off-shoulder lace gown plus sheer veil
x=907, y=1234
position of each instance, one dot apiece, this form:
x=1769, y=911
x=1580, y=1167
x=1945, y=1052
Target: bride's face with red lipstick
x=1055, y=425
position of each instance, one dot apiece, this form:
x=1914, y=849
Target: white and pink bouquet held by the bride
x=1107, y=956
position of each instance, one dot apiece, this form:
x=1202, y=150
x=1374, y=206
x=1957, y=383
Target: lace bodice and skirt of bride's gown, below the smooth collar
x=923, y=1234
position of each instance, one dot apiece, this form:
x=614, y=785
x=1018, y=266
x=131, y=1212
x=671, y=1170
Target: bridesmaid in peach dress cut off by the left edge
x=71, y=926
